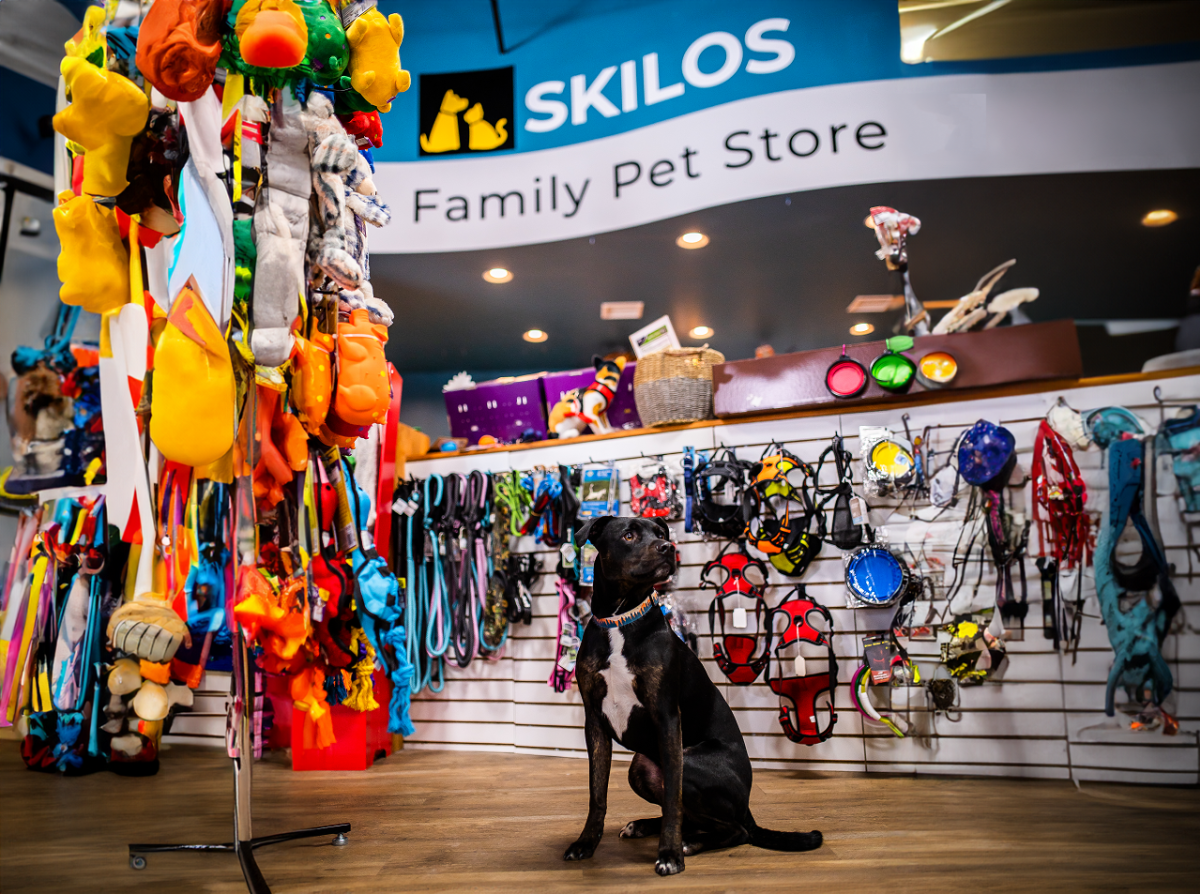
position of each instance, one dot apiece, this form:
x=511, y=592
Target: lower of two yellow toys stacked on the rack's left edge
x=94, y=266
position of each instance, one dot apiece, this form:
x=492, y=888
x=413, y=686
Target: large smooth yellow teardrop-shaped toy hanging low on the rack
x=193, y=381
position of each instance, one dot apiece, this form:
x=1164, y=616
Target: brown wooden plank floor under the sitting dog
x=459, y=823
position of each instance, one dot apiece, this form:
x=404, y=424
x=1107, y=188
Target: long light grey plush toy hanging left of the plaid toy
x=281, y=231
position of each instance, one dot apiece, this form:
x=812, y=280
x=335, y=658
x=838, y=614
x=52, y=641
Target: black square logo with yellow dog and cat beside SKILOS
x=467, y=112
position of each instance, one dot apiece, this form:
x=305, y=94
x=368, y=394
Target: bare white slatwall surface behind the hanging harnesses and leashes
x=1045, y=719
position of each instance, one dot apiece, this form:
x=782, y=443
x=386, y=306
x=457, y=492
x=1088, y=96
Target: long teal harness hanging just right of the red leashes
x=1137, y=634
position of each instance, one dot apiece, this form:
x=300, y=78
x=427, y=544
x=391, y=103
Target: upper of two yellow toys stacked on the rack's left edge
x=107, y=112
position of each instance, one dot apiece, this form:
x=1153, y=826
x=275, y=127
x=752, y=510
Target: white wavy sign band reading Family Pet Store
x=883, y=131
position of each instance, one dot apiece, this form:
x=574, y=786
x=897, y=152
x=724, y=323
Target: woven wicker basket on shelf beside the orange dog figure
x=676, y=386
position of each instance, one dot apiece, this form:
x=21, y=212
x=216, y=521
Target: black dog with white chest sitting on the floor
x=646, y=689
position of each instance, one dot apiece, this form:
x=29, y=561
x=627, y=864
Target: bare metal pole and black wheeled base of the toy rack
x=245, y=844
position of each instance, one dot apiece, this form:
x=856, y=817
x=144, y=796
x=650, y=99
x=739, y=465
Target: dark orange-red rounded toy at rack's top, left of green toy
x=179, y=44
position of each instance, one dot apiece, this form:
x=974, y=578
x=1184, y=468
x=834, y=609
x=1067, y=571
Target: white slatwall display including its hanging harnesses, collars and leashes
x=949, y=573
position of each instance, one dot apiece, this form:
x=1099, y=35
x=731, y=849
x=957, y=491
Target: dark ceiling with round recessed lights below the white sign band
x=782, y=271
